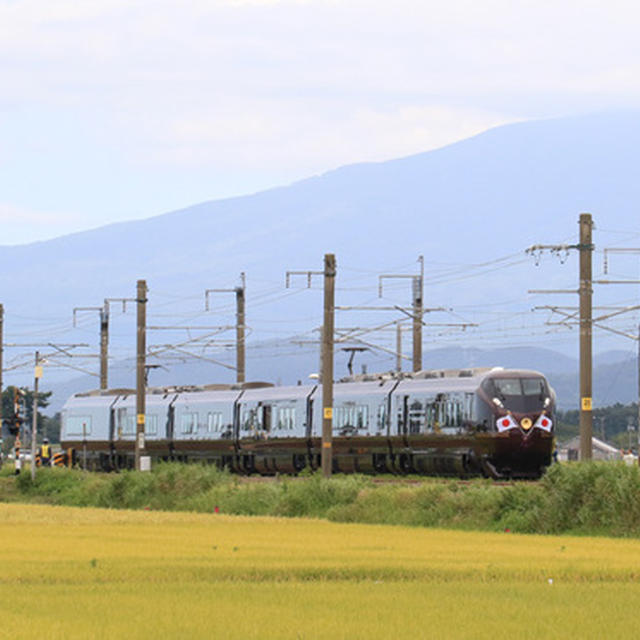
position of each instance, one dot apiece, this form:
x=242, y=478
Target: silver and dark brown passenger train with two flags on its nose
x=493, y=422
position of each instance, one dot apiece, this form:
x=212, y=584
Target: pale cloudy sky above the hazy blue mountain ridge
x=112, y=110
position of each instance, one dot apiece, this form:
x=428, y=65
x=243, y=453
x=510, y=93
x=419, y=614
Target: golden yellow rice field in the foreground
x=89, y=573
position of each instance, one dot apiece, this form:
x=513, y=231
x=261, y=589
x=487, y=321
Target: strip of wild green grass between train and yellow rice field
x=584, y=499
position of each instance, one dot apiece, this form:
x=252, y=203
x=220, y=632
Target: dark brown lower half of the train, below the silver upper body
x=498, y=456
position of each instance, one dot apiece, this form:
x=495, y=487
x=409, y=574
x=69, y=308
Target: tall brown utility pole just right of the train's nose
x=585, y=291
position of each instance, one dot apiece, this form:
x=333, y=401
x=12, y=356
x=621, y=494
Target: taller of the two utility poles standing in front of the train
x=326, y=379
